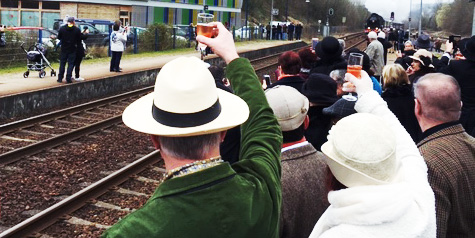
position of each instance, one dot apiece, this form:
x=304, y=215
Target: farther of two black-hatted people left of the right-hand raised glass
x=329, y=51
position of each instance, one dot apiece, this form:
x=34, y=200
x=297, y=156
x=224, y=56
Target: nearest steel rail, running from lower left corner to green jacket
x=49, y=216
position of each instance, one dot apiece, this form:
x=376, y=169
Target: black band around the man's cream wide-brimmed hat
x=186, y=119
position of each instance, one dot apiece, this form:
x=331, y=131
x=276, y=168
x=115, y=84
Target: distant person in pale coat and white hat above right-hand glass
x=375, y=51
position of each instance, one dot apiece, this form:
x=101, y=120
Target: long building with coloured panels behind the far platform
x=42, y=13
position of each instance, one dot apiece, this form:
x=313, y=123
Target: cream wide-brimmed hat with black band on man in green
x=185, y=102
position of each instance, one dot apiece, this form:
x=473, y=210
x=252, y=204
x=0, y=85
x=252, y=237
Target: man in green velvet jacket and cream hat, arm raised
x=202, y=196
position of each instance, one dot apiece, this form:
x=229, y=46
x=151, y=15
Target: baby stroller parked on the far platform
x=36, y=60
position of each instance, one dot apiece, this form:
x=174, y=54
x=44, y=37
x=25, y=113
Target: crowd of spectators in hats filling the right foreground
x=399, y=161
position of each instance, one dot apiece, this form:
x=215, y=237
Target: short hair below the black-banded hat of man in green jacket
x=191, y=147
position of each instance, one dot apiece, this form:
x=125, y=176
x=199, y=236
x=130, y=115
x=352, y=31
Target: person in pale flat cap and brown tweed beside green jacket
x=303, y=170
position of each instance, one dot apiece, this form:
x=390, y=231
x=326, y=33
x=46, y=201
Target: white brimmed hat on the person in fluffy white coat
x=361, y=150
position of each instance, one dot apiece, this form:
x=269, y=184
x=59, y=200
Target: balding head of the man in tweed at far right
x=439, y=96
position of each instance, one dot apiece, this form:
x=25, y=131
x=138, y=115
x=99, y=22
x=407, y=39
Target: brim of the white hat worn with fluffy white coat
x=343, y=173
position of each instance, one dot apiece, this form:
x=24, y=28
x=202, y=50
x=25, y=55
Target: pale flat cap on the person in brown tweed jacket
x=289, y=105
